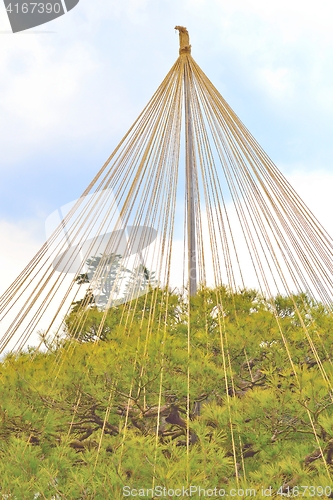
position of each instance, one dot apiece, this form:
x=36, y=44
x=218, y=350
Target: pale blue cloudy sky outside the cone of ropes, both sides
x=70, y=89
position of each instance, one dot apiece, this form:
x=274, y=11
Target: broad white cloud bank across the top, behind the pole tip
x=63, y=85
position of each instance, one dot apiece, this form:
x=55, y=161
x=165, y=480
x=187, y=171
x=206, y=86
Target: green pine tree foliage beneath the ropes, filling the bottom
x=80, y=420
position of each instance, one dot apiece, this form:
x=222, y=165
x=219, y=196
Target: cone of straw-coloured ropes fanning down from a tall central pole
x=190, y=171
